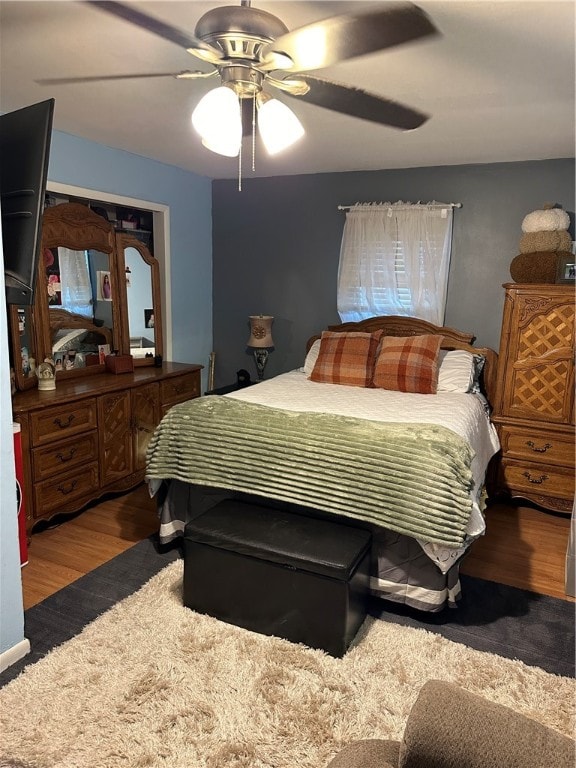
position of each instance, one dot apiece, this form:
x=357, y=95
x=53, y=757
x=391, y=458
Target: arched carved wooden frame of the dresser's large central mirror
x=77, y=227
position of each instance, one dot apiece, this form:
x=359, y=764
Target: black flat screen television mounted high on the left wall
x=25, y=136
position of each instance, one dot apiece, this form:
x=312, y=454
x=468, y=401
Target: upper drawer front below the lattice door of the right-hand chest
x=542, y=447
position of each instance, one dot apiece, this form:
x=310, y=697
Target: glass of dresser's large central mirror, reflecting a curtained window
x=80, y=305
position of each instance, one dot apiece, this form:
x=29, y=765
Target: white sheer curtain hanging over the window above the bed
x=394, y=260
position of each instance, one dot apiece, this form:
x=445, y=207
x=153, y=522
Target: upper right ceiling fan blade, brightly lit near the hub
x=338, y=38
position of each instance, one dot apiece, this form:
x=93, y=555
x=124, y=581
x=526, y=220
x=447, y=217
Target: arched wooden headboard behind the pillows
x=395, y=325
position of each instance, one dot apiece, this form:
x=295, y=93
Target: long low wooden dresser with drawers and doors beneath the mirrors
x=89, y=436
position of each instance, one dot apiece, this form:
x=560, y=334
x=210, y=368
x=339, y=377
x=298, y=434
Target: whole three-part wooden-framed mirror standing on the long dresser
x=96, y=289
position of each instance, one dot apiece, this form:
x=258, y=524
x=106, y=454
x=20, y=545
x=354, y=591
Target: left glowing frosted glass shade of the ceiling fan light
x=218, y=120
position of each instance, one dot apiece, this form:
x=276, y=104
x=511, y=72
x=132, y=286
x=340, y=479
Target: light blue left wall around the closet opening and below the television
x=85, y=164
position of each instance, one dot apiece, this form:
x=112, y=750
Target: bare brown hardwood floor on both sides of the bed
x=522, y=547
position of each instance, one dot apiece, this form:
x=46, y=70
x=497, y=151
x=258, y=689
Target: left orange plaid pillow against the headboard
x=346, y=358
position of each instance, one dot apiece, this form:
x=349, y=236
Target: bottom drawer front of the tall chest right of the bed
x=537, y=479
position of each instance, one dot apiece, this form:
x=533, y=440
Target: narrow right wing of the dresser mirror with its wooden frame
x=142, y=321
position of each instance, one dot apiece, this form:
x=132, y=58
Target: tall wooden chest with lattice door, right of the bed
x=534, y=408
